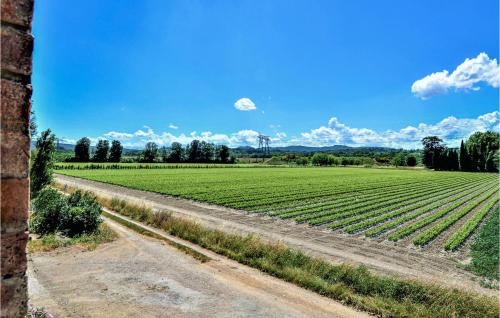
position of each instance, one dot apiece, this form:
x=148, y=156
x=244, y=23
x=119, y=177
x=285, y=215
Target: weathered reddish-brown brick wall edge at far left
x=16, y=51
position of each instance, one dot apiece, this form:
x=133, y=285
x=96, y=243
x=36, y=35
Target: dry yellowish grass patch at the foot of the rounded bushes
x=87, y=242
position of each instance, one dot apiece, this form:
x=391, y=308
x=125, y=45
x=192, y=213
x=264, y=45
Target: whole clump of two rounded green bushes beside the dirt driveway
x=73, y=216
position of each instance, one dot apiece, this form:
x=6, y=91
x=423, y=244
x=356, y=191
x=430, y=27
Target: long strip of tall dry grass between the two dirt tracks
x=352, y=285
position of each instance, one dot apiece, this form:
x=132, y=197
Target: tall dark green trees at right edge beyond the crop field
x=479, y=153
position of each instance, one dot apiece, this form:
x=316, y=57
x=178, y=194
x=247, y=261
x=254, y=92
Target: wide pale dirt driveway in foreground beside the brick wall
x=136, y=276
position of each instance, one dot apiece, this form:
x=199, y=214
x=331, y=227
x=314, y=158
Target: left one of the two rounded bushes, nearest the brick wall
x=48, y=209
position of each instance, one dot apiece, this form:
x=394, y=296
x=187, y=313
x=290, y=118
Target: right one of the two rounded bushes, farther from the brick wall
x=83, y=216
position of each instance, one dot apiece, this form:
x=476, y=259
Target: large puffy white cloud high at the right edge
x=464, y=77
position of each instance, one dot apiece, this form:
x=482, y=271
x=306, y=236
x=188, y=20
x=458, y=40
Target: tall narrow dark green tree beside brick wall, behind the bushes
x=41, y=169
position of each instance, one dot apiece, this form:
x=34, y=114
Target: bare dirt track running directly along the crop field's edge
x=383, y=257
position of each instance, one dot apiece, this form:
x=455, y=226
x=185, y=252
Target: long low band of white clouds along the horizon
x=450, y=129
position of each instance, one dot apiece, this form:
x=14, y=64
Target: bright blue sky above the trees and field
x=317, y=72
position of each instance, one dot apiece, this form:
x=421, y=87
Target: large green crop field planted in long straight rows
x=426, y=208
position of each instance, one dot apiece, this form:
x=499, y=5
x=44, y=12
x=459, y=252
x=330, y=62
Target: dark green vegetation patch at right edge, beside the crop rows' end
x=485, y=249
